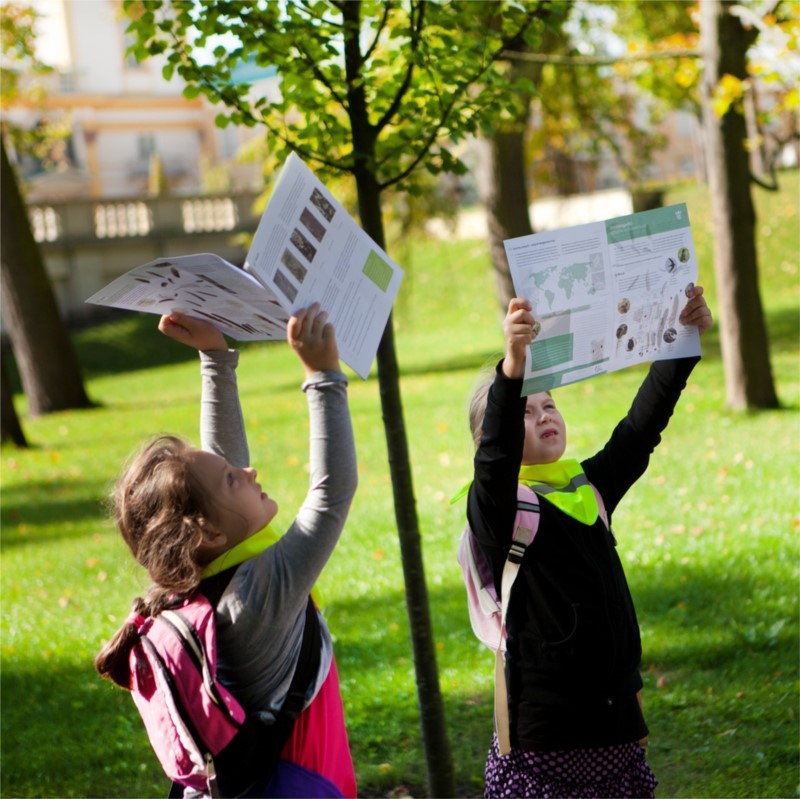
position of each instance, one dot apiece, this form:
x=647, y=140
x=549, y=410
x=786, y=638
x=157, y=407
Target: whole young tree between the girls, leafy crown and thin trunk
x=376, y=90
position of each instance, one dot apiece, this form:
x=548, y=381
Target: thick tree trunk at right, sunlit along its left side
x=743, y=335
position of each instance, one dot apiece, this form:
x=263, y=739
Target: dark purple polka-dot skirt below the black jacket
x=611, y=772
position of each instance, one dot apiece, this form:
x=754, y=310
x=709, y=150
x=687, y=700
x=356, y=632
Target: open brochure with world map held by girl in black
x=605, y=295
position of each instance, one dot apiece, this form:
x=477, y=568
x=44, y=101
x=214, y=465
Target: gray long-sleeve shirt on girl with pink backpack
x=261, y=616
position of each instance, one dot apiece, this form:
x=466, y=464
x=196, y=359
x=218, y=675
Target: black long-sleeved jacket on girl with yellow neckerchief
x=573, y=649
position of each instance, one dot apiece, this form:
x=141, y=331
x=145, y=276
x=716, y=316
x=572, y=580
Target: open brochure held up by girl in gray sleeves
x=306, y=249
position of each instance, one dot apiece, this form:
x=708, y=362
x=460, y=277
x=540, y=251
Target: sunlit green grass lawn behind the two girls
x=708, y=538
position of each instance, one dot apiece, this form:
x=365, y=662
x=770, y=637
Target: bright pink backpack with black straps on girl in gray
x=199, y=731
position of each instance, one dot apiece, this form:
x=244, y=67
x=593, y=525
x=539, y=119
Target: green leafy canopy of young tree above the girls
x=417, y=78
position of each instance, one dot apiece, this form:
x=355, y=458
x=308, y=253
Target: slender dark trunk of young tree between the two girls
x=438, y=758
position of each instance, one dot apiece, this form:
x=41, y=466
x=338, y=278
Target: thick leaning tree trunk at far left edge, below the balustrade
x=48, y=367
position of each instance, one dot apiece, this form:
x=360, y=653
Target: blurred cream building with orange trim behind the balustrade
x=129, y=126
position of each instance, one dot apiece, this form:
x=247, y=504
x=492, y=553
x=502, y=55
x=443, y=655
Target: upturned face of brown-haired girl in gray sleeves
x=239, y=505
